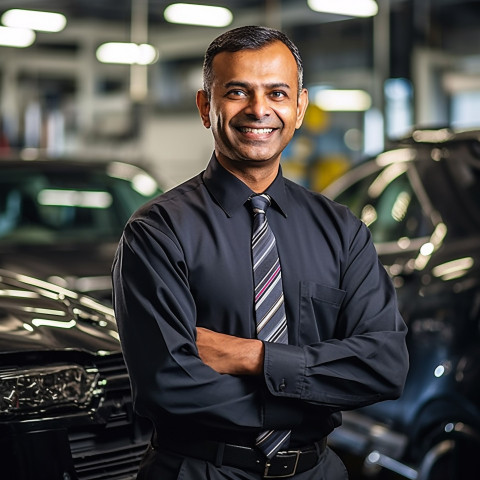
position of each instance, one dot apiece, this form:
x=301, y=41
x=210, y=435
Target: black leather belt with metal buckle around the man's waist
x=283, y=465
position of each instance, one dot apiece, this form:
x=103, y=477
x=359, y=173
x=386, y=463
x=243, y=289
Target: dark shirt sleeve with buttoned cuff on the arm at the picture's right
x=365, y=360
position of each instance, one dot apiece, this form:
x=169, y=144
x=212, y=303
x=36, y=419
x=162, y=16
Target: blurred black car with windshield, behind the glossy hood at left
x=61, y=219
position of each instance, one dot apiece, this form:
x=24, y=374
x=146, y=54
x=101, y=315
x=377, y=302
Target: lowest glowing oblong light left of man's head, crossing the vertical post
x=127, y=53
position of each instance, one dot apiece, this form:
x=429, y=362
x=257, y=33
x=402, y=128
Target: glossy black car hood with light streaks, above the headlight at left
x=39, y=316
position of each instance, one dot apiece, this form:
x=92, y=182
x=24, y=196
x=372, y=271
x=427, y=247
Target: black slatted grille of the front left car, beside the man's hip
x=113, y=450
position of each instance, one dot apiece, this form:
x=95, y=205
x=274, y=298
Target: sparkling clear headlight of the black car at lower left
x=35, y=389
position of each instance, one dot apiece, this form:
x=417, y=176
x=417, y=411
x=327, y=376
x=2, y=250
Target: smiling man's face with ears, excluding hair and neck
x=254, y=107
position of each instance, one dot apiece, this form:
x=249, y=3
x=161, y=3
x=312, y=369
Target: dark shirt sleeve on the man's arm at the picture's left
x=156, y=318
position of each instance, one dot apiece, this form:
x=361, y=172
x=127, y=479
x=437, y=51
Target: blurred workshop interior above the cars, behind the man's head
x=372, y=75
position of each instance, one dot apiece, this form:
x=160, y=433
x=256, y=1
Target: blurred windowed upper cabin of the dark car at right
x=408, y=199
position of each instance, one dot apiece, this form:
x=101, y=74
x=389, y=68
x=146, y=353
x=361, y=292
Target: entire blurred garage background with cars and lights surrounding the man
x=105, y=89
